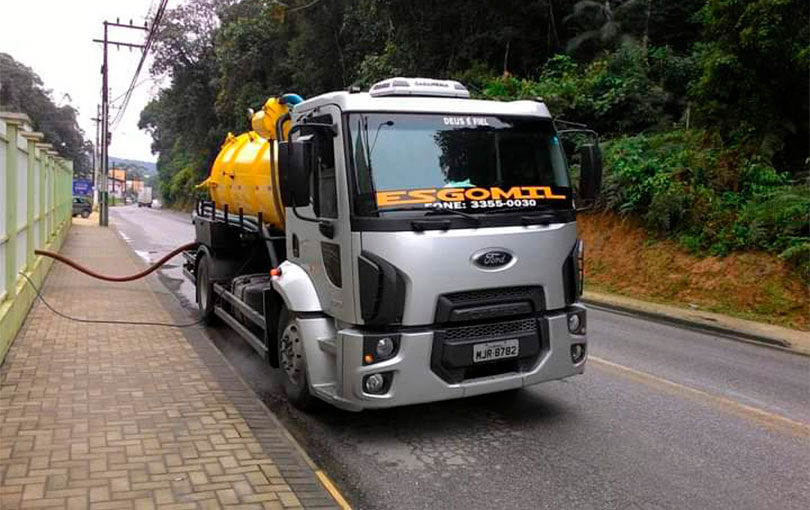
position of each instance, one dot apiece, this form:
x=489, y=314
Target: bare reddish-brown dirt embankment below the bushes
x=620, y=257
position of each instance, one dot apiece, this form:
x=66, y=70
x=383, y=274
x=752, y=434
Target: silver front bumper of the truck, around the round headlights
x=414, y=381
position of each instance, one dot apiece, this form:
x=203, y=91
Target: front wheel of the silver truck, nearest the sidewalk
x=292, y=361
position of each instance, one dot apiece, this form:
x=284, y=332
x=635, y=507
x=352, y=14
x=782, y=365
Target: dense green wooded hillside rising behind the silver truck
x=702, y=104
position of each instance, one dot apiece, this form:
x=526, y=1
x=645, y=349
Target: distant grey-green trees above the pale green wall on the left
x=22, y=90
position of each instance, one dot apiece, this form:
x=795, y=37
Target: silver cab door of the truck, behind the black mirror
x=323, y=247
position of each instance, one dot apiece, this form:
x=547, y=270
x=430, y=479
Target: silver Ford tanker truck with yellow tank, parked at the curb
x=400, y=245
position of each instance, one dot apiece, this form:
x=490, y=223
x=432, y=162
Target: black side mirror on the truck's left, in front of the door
x=295, y=165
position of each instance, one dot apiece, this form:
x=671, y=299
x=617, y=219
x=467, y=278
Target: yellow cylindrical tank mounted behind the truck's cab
x=243, y=176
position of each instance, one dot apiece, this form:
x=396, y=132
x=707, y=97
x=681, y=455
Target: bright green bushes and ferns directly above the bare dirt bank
x=714, y=198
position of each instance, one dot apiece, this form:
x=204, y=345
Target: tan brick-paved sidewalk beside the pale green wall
x=134, y=417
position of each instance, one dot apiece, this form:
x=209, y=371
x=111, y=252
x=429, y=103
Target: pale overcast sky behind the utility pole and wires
x=54, y=38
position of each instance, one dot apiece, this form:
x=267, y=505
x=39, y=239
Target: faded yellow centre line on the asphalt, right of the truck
x=767, y=418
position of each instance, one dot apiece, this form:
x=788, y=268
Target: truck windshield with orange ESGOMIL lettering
x=474, y=163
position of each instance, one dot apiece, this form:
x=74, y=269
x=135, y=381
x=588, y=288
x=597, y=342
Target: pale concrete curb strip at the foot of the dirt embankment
x=731, y=327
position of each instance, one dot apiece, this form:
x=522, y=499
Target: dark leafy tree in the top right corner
x=755, y=67
